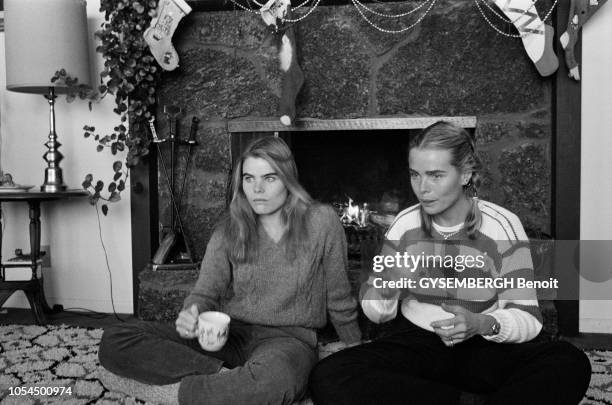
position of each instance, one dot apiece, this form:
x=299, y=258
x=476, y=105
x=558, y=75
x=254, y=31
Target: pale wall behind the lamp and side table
x=78, y=276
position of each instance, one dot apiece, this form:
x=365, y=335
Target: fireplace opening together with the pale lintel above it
x=361, y=161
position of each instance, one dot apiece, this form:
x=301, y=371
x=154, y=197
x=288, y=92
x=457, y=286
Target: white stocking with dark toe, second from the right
x=537, y=37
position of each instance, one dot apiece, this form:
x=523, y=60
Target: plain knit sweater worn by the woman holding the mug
x=274, y=291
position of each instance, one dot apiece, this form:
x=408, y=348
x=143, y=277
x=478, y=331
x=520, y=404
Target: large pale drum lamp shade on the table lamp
x=42, y=37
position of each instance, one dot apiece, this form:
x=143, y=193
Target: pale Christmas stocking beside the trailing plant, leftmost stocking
x=159, y=34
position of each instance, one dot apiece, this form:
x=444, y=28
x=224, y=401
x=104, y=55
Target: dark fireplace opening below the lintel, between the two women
x=368, y=167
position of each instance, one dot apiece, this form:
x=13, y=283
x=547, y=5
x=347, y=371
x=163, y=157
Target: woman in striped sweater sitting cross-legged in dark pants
x=475, y=333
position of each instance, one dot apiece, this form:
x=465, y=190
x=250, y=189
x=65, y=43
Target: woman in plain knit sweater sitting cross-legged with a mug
x=277, y=266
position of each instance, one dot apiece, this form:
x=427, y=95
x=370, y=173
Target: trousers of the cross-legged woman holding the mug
x=269, y=365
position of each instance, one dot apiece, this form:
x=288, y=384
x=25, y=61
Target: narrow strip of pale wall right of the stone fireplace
x=596, y=186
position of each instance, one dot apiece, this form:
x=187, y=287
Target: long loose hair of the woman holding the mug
x=242, y=225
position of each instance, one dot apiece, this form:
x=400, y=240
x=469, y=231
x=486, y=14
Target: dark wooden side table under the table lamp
x=32, y=288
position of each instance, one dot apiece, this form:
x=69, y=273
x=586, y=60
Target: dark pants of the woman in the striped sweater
x=410, y=365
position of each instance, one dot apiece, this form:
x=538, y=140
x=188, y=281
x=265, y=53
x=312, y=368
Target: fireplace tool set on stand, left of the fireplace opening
x=174, y=252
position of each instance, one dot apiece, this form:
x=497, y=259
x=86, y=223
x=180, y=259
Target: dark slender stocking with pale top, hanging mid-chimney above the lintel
x=273, y=13
